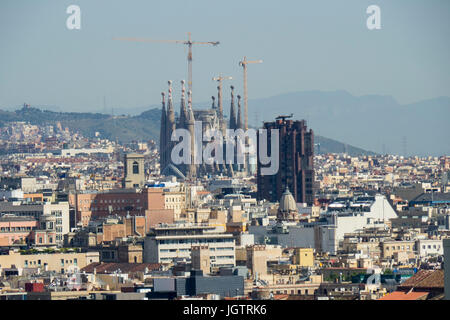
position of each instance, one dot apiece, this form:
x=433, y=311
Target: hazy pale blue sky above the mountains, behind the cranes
x=305, y=45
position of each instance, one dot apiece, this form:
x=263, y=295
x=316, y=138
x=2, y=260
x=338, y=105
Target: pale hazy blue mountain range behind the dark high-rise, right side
x=372, y=122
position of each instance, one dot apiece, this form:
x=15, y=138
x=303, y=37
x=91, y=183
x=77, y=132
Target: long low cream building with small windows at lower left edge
x=59, y=262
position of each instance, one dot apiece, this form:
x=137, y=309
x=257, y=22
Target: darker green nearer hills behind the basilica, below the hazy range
x=144, y=126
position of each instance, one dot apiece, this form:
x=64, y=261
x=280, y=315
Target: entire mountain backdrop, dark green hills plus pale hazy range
x=371, y=122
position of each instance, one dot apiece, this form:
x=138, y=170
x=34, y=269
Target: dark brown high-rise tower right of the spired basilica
x=296, y=162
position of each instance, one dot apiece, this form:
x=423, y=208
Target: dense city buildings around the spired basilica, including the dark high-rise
x=129, y=232
